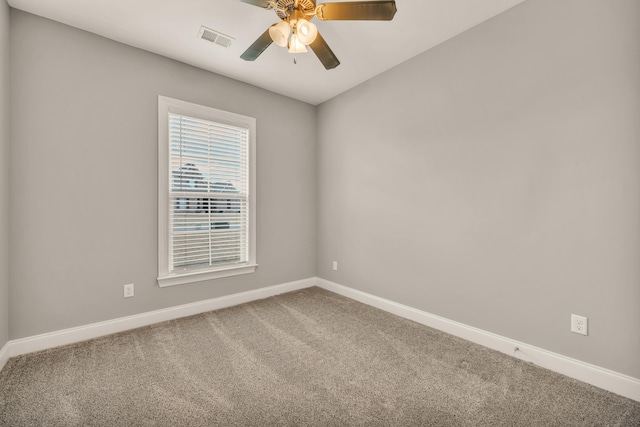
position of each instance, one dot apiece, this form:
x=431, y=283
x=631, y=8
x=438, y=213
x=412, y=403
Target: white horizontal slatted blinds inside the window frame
x=208, y=194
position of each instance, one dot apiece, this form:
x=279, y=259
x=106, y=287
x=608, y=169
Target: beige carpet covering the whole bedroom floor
x=309, y=357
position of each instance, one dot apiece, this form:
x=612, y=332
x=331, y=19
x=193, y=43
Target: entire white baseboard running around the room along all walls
x=600, y=377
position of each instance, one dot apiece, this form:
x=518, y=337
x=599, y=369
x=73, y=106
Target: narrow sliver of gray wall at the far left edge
x=4, y=173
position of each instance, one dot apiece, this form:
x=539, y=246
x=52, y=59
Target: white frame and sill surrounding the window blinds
x=169, y=105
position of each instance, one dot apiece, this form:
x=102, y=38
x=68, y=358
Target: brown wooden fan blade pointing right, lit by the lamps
x=357, y=11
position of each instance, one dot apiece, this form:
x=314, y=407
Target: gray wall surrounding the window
x=84, y=178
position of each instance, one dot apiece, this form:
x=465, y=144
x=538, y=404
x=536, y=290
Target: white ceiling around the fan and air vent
x=364, y=48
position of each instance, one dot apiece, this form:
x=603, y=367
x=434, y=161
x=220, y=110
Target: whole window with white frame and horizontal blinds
x=206, y=197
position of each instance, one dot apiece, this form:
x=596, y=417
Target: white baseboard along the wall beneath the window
x=95, y=330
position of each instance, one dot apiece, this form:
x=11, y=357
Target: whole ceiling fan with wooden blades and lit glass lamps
x=296, y=32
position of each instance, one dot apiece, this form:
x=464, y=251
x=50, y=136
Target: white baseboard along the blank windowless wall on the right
x=600, y=377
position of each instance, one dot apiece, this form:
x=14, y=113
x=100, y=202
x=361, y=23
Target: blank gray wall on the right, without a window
x=495, y=180
